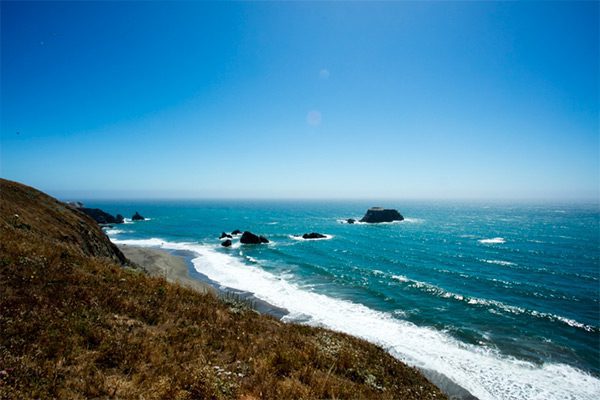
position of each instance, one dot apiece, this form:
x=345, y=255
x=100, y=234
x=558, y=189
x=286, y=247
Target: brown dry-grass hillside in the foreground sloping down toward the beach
x=76, y=323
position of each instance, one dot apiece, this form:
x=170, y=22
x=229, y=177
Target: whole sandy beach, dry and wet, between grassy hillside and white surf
x=177, y=267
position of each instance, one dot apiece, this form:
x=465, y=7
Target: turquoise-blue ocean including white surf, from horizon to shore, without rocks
x=501, y=298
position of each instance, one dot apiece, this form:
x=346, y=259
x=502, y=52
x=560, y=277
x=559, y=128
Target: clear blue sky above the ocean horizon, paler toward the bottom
x=318, y=100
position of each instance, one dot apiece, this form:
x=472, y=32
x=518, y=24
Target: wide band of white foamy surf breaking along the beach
x=484, y=372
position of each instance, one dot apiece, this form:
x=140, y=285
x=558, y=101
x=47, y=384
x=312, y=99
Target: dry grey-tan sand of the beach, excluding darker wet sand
x=162, y=263
